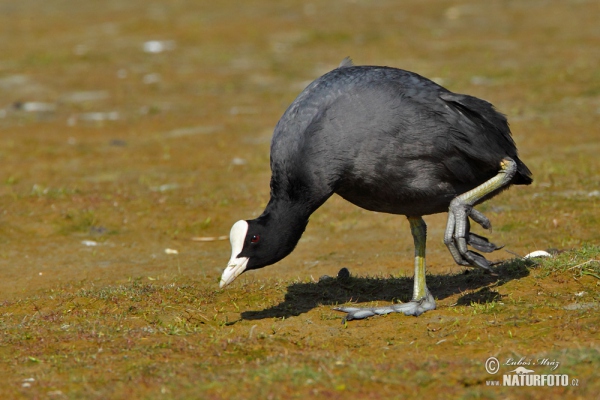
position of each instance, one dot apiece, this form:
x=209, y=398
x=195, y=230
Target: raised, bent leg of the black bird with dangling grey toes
x=457, y=234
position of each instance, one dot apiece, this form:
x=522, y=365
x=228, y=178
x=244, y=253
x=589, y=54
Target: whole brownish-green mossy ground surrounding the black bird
x=130, y=128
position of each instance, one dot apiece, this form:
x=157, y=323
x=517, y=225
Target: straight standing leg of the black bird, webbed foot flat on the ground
x=422, y=300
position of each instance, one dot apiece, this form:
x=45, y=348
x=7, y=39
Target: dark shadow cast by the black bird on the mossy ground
x=474, y=284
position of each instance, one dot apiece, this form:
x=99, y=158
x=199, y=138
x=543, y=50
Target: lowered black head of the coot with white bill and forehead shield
x=258, y=243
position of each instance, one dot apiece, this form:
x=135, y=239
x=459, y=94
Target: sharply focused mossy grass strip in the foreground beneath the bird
x=182, y=338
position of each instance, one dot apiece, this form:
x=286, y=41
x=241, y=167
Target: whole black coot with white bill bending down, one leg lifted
x=386, y=140
